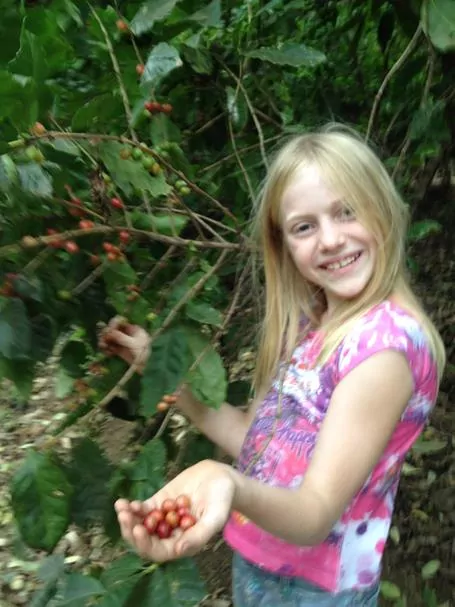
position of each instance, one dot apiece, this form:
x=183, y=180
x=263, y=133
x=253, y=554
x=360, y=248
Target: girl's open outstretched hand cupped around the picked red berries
x=210, y=486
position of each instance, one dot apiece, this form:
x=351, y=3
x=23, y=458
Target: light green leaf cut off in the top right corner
x=438, y=22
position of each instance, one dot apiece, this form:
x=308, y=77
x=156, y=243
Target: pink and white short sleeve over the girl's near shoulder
x=386, y=326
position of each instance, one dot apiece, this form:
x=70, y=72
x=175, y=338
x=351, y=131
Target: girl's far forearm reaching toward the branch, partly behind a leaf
x=226, y=426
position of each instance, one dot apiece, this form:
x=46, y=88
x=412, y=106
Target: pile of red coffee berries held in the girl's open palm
x=173, y=514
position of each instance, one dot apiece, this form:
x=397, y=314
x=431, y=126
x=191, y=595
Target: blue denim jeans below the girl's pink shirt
x=254, y=587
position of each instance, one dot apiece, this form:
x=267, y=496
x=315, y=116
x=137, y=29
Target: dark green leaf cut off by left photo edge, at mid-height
x=15, y=330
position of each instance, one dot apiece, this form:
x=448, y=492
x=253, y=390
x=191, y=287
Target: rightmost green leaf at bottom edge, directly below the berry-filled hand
x=177, y=584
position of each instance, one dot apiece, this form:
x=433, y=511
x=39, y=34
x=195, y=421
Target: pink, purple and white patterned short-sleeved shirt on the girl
x=350, y=557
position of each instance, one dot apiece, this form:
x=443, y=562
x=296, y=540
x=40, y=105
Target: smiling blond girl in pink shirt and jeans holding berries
x=347, y=374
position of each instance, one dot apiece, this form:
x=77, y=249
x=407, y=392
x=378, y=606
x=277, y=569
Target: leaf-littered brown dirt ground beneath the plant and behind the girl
x=424, y=520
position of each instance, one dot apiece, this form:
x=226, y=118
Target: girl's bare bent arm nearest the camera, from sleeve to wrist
x=363, y=412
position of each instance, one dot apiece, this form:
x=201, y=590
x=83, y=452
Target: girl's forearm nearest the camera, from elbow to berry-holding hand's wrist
x=297, y=516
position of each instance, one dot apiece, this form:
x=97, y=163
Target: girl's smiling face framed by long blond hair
x=329, y=246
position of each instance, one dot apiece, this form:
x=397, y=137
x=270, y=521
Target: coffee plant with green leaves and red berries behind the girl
x=133, y=138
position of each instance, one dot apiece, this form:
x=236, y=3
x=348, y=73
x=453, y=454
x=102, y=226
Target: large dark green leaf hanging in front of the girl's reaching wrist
x=165, y=369
